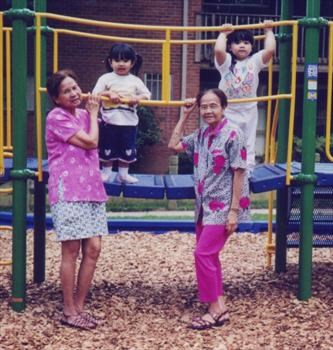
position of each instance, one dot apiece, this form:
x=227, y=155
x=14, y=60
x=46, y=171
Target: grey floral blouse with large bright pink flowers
x=216, y=154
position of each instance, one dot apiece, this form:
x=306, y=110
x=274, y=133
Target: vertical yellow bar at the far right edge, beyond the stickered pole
x=329, y=95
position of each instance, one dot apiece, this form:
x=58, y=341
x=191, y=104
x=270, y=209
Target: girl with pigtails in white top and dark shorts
x=119, y=121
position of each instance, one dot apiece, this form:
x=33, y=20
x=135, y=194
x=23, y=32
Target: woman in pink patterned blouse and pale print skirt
x=76, y=193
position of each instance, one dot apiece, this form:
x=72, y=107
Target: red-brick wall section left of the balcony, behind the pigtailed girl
x=86, y=56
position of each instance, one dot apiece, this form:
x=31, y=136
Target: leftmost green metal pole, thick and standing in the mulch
x=19, y=102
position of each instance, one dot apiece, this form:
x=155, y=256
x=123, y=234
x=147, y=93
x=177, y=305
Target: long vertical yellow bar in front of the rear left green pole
x=38, y=97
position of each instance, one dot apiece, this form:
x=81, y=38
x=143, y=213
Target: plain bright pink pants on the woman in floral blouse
x=210, y=241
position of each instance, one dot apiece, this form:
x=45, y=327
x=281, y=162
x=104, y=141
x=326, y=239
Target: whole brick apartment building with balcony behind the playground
x=191, y=71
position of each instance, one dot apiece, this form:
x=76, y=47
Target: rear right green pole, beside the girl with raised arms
x=284, y=110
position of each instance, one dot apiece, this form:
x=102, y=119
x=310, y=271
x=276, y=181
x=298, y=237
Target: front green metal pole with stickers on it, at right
x=312, y=29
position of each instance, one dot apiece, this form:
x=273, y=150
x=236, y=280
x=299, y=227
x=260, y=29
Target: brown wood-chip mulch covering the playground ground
x=144, y=294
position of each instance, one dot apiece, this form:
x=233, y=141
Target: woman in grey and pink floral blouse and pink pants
x=222, y=194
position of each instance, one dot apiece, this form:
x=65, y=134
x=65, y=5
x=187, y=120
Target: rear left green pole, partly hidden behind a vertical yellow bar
x=39, y=187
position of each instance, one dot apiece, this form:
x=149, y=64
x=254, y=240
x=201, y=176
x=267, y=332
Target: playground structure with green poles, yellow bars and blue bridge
x=267, y=177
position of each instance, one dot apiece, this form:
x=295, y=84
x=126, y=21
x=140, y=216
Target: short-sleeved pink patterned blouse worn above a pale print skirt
x=76, y=167
